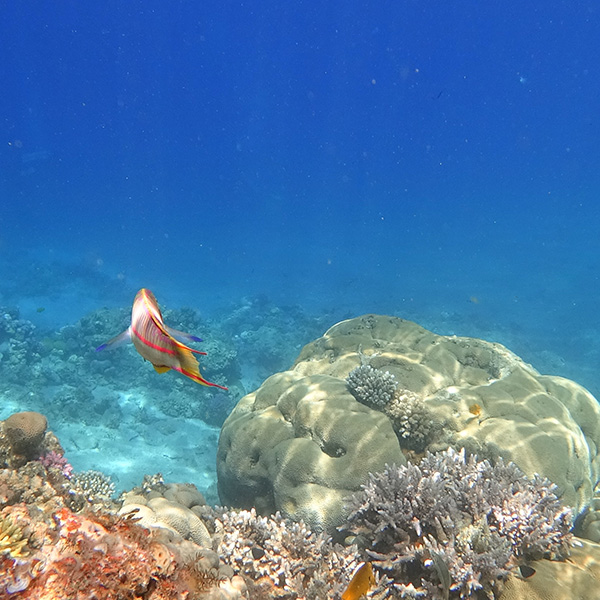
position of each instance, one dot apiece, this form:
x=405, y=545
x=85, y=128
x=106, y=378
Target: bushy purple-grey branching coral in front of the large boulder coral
x=453, y=526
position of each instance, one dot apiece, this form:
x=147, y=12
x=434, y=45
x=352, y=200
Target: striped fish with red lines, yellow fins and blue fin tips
x=157, y=343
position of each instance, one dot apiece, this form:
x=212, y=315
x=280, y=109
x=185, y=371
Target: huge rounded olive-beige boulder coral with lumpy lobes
x=302, y=443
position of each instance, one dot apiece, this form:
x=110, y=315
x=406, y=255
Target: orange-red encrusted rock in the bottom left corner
x=92, y=556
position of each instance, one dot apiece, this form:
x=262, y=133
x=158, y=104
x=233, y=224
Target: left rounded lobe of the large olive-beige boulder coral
x=300, y=445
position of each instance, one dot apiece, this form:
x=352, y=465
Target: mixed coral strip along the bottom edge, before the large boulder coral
x=166, y=543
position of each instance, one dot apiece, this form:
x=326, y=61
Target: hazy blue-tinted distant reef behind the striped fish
x=63, y=373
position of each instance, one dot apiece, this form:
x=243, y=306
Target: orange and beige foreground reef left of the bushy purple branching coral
x=62, y=537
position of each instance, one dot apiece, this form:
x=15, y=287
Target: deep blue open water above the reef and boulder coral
x=287, y=165
